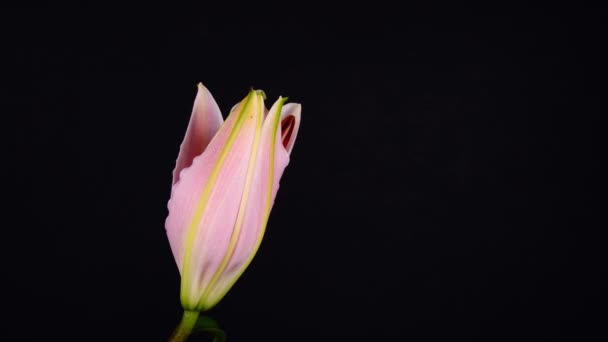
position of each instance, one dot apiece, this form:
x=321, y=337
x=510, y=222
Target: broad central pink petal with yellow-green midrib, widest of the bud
x=208, y=222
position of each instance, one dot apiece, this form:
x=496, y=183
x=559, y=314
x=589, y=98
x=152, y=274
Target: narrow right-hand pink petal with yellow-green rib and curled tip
x=260, y=198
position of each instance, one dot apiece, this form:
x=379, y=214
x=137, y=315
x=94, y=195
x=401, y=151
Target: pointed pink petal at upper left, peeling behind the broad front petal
x=205, y=121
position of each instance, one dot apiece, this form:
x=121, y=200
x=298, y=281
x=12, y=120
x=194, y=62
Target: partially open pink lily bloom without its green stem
x=224, y=184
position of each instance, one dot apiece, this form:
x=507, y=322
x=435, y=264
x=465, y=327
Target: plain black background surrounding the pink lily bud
x=440, y=186
